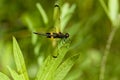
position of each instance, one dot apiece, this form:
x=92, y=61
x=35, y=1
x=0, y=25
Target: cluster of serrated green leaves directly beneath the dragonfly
x=50, y=68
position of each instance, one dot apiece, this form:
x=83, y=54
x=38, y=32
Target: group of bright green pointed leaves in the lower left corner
x=21, y=73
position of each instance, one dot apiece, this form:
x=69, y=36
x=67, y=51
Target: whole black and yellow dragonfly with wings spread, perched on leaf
x=57, y=33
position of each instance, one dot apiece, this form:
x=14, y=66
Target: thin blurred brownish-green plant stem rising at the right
x=106, y=53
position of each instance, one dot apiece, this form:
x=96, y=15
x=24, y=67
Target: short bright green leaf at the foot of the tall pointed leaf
x=15, y=75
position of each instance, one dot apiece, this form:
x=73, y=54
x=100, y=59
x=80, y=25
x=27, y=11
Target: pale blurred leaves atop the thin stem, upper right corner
x=112, y=11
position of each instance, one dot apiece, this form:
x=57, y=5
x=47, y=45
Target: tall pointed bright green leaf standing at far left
x=19, y=60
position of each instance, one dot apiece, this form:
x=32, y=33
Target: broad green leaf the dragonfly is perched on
x=48, y=68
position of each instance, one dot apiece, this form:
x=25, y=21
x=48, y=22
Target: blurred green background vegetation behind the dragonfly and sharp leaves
x=89, y=28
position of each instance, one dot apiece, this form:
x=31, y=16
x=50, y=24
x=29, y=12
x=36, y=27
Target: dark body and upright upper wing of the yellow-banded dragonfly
x=57, y=33
